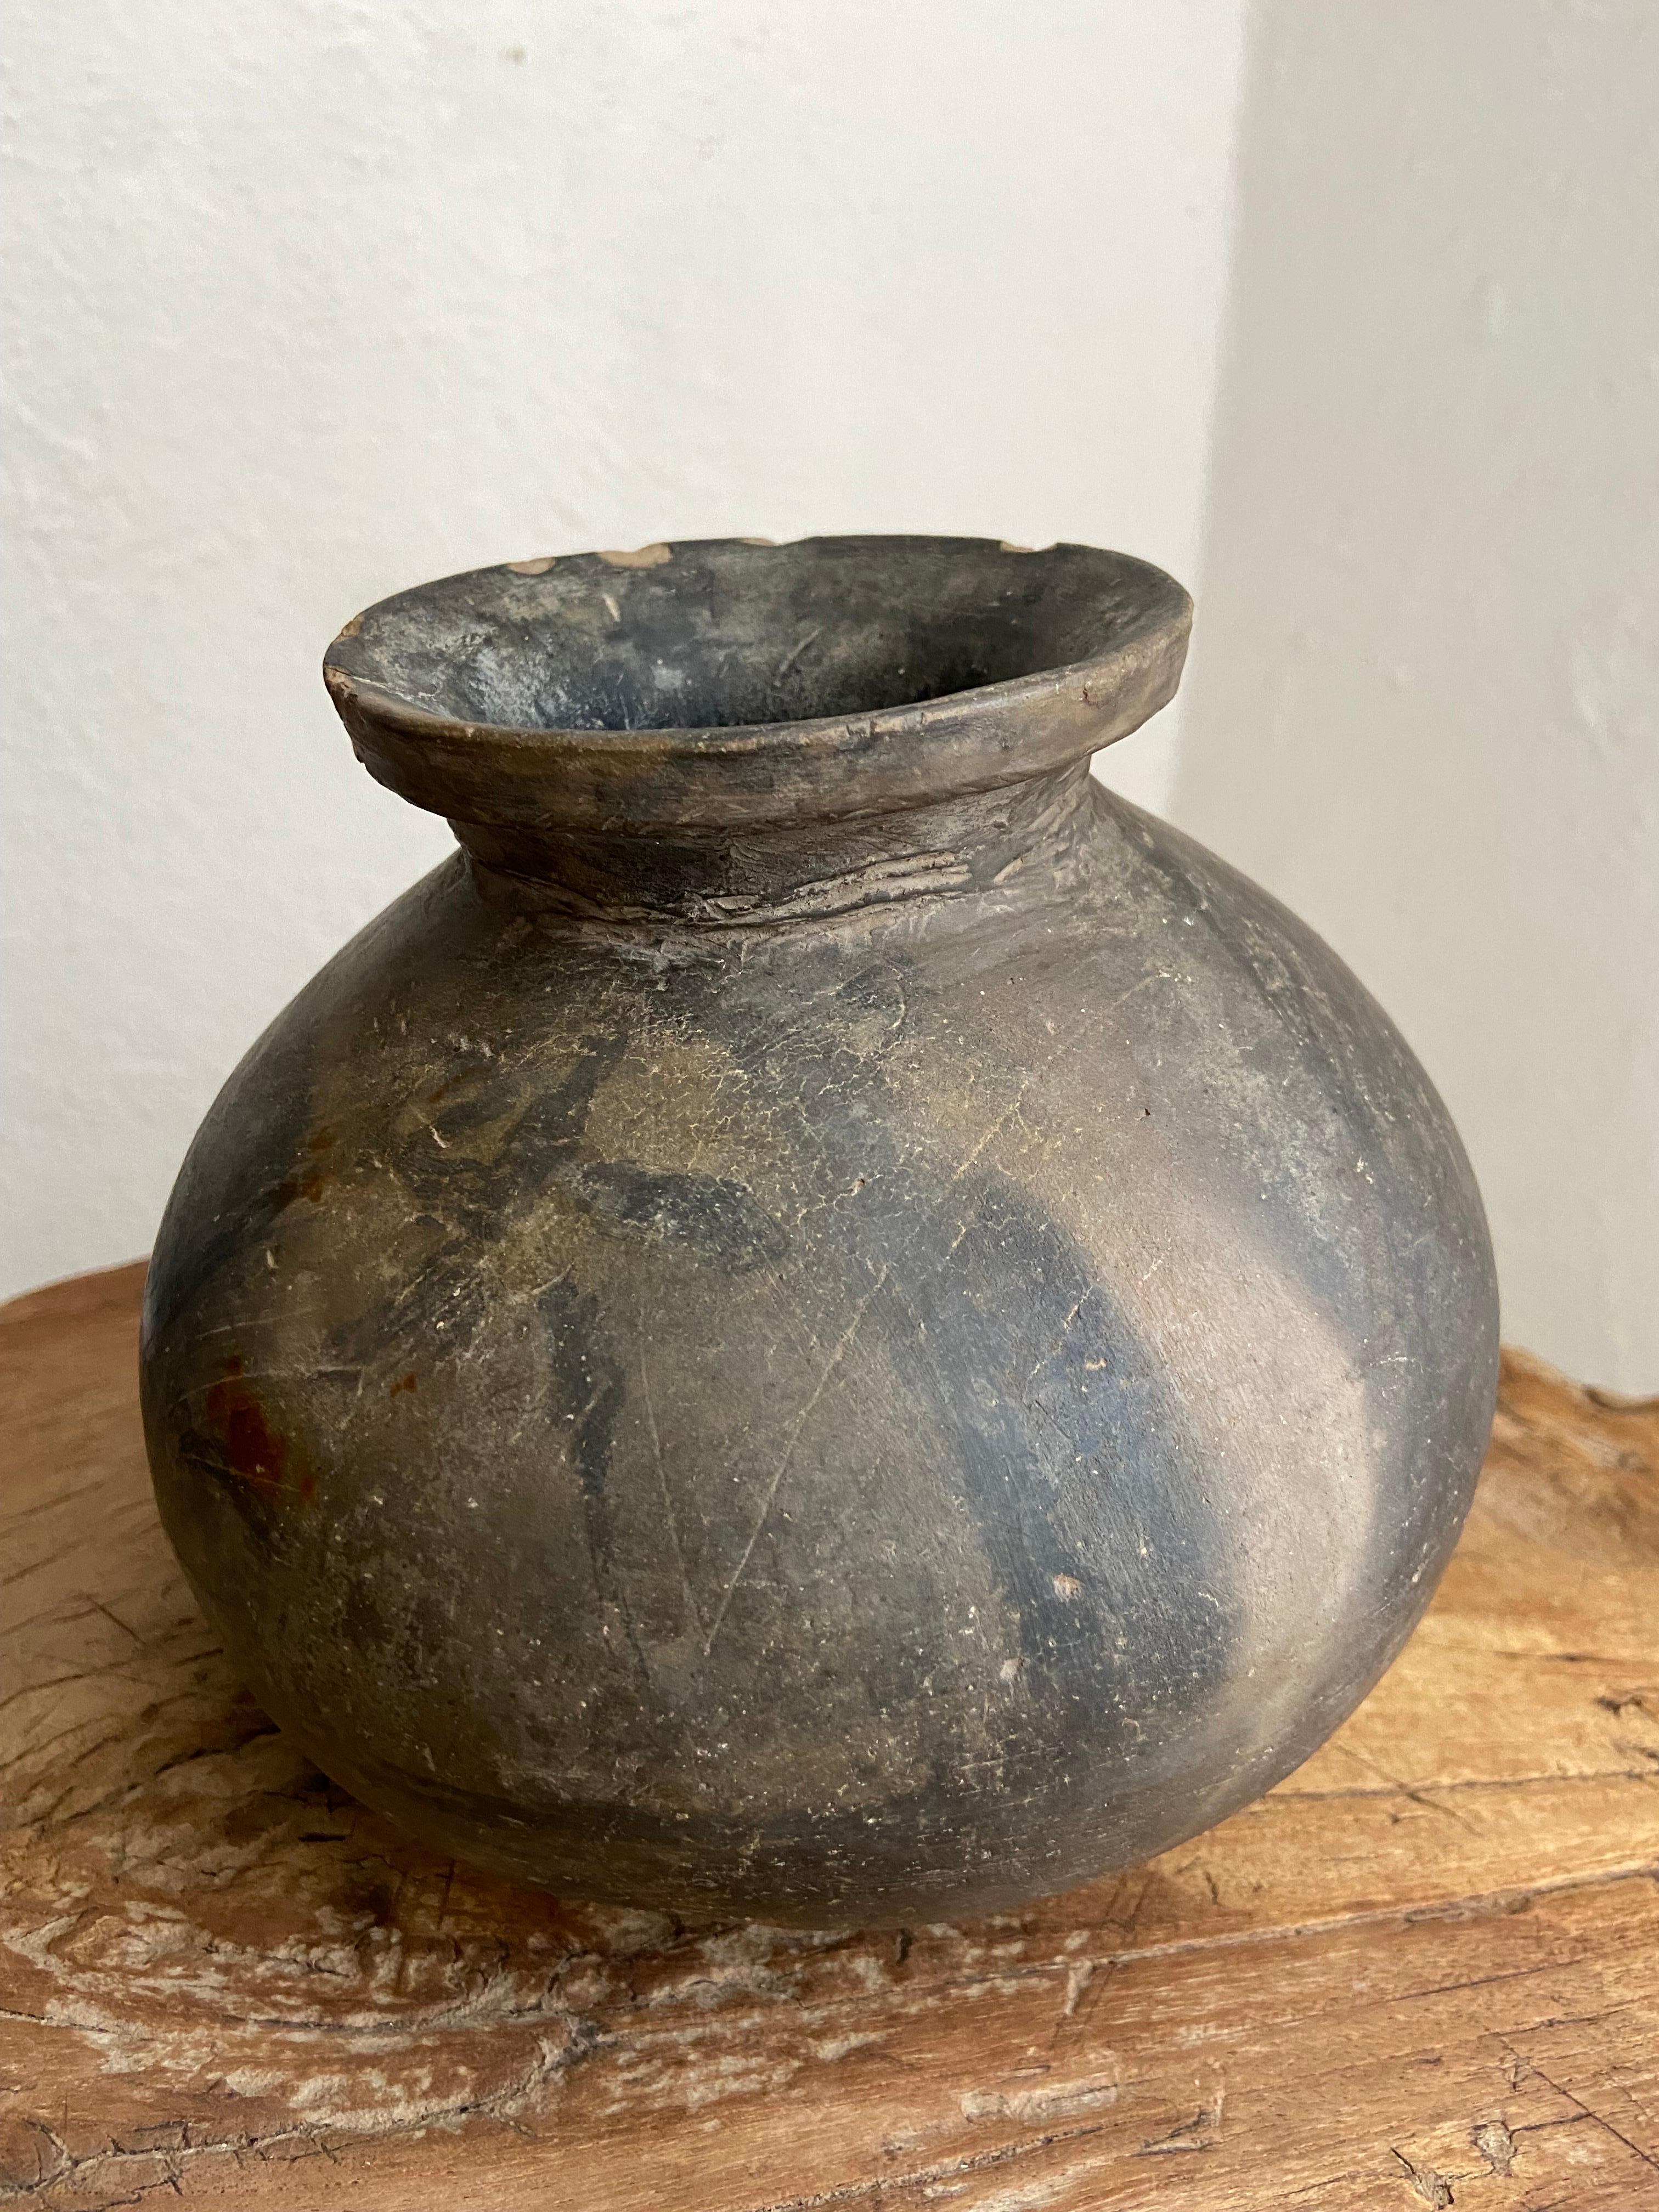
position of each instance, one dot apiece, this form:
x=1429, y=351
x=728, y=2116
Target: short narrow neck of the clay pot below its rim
x=1016, y=839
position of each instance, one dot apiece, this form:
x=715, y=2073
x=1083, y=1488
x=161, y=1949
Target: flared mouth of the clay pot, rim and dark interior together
x=428, y=680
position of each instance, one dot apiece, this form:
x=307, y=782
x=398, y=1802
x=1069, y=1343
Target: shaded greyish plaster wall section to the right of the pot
x=1426, y=700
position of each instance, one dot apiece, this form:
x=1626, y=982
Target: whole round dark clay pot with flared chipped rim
x=826, y=1322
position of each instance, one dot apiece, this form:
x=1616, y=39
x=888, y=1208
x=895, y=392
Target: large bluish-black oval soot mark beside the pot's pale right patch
x=1078, y=1479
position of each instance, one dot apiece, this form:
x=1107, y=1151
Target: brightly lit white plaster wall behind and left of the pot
x=317, y=300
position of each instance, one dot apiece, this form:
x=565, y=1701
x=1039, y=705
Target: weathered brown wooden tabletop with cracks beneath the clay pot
x=1426, y=1972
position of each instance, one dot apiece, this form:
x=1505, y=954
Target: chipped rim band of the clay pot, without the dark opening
x=742, y=775
